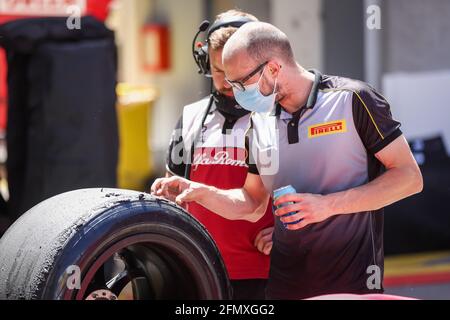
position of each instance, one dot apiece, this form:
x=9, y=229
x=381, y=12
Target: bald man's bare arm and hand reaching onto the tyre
x=248, y=203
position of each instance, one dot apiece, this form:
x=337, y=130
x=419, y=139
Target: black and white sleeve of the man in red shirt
x=174, y=159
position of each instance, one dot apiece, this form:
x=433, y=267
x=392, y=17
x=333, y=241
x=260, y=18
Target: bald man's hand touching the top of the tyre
x=177, y=189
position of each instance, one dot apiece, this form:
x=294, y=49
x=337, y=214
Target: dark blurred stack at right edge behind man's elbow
x=421, y=223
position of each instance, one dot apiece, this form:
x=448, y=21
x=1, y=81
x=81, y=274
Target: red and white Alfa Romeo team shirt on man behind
x=219, y=161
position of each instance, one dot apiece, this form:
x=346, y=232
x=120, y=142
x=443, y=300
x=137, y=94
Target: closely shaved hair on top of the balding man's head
x=261, y=41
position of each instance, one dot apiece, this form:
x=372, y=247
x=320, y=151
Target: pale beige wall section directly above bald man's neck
x=301, y=20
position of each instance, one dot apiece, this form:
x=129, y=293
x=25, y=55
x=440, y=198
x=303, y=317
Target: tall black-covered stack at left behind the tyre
x=62, y=127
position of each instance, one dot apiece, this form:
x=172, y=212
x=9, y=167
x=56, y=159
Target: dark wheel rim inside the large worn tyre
x=155, y=267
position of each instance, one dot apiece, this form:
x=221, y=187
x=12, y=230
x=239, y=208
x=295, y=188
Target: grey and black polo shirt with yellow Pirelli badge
x=328, y=146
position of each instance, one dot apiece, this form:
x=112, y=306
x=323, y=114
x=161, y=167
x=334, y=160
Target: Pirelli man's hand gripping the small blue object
x=311, y=208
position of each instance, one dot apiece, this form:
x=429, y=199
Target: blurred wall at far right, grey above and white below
x=417, y=66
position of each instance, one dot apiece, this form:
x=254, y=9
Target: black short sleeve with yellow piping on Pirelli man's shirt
x=373, y=119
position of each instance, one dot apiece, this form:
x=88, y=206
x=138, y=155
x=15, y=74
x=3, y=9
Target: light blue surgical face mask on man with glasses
x=253, y=100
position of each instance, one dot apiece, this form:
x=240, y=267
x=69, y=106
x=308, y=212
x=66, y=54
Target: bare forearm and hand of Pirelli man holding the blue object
x=401, y=179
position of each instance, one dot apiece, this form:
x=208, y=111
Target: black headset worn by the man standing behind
x=200, y=50
